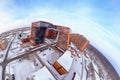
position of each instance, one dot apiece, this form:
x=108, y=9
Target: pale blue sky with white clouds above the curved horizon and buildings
x=98, y=20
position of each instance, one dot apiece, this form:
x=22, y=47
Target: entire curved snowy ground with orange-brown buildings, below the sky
x=45, y=51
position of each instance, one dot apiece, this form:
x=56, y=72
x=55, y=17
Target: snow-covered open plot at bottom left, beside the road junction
x=22, y=69
